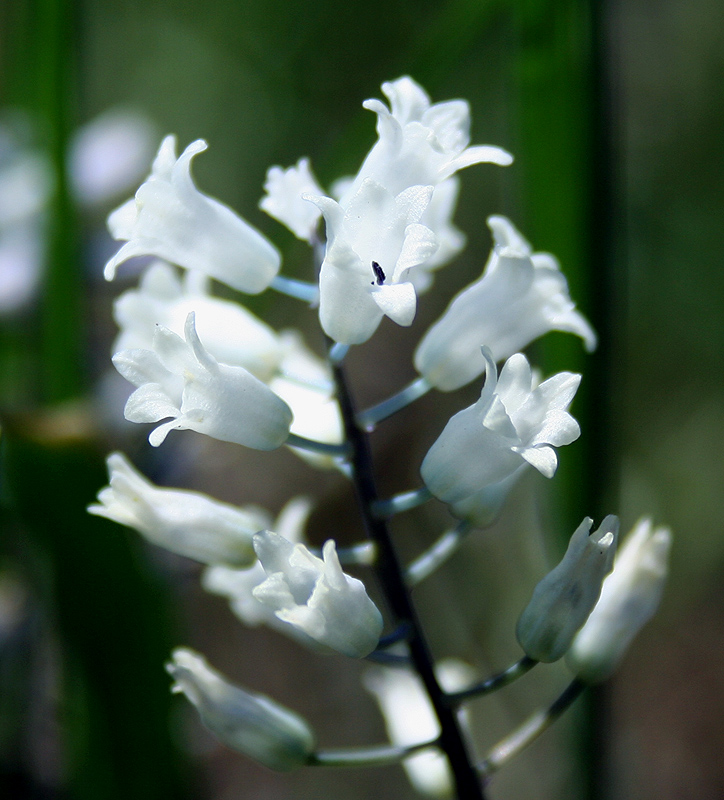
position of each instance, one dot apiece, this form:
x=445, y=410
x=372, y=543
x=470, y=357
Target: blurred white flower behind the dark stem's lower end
x=410, y=719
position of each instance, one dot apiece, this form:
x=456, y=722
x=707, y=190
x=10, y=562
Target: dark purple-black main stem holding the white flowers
x=391, y=574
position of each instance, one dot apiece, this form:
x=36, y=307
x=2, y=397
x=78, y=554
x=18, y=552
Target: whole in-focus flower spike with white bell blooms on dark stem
x=207, y=364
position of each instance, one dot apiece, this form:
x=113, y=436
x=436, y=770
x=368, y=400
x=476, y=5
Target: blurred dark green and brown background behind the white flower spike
x=614, y=113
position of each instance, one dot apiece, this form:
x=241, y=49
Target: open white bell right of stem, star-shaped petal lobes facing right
x=512, y=423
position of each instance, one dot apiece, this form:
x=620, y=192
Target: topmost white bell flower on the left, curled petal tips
x=170, y=218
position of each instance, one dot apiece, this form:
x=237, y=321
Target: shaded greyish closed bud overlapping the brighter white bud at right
x=563, y=600
